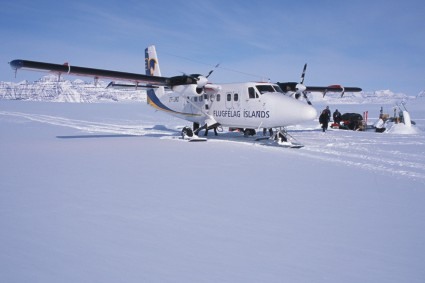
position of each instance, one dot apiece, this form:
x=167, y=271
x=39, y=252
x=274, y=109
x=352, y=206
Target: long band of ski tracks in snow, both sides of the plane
x=367, y=151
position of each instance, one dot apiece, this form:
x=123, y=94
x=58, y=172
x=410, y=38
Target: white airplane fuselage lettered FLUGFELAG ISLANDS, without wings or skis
x=242, y=105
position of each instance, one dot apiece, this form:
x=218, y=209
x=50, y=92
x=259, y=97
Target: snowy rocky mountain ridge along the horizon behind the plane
x=48, y=88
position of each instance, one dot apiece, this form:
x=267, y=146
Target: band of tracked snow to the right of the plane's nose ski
x=368, y=151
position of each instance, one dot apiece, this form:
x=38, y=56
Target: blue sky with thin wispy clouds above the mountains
x=371, y=44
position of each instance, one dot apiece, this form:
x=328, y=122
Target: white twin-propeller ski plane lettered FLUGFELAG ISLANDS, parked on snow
x=245, y=106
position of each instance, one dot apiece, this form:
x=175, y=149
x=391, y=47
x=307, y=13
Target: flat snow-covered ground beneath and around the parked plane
x=105, y=192
